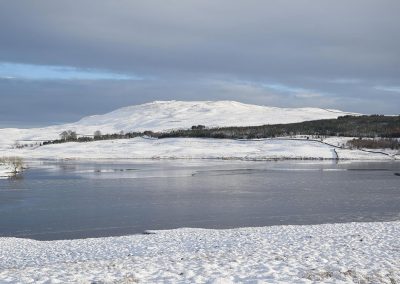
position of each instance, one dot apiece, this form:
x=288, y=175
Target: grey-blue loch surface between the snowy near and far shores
x=72, y=199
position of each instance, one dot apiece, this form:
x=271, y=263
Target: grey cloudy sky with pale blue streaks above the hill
x=62, y=60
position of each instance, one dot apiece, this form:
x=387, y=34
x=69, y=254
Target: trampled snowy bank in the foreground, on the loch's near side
x=339, y=253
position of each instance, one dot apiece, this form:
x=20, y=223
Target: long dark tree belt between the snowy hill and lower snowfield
x=350, y=126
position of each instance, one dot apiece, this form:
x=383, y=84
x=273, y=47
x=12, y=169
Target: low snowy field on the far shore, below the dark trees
x=193, y=148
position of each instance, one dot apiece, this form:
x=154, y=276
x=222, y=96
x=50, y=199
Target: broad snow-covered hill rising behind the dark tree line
x=166, y=115
